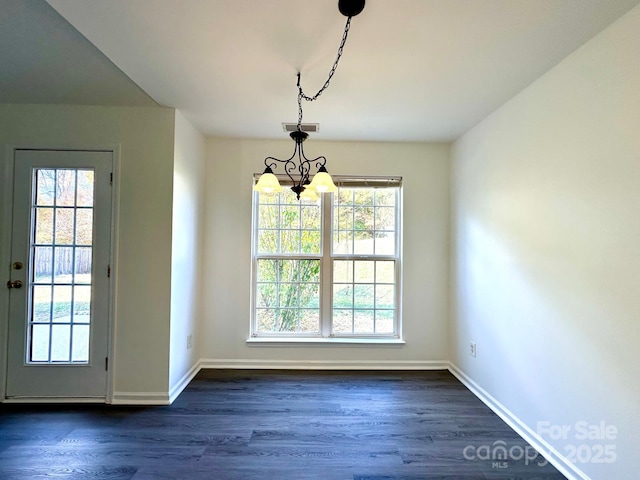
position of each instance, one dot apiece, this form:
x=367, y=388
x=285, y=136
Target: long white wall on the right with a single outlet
x=547, y=233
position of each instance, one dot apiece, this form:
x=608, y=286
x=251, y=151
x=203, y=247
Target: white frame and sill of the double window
x=327, y=258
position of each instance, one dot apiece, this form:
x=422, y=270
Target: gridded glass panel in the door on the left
x=61, y=285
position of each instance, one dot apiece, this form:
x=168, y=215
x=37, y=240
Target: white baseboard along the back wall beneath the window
x=216, y=363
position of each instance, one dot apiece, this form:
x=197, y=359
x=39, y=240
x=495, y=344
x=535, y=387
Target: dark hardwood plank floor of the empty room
x=251, y=424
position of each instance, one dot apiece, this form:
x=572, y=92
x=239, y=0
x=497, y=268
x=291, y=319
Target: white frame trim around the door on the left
x=6, y=220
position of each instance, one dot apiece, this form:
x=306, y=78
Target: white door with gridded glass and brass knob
x=59, y=287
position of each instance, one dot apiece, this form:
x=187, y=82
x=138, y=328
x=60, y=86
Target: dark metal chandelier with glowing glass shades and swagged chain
x=298, y=167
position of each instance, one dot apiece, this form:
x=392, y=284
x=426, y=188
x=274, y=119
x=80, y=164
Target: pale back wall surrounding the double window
x=230, y=166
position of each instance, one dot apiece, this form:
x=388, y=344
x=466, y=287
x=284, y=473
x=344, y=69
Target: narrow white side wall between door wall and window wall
x=188, y=201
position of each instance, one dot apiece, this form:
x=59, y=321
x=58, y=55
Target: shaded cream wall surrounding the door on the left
x=144, y=184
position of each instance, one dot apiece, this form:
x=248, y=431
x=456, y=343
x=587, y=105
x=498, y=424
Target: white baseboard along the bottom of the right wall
x=564, y=466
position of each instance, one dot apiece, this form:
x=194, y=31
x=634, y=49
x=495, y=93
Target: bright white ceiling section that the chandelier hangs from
x=412, y=70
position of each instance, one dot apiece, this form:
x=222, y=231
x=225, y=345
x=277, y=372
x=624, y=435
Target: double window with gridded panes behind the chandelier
x=329, y=268
